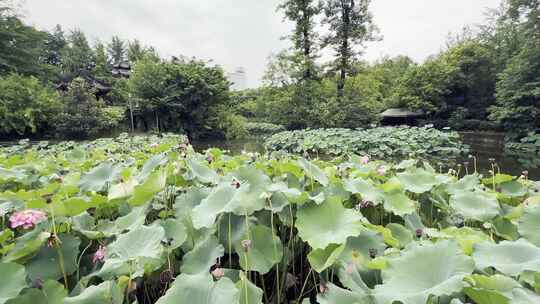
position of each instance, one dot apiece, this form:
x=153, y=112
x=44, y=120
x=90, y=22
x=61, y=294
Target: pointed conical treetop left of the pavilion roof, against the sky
x=78, y=56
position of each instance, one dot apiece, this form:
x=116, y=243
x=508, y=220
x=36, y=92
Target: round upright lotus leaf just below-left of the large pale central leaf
x=265, y=251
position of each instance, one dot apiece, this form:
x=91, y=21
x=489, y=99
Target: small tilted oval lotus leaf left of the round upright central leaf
x=203, y=256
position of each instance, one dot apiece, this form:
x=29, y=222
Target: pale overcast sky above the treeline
x=242, y=33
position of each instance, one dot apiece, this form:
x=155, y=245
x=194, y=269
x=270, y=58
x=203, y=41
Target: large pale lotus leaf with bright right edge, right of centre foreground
x=328, y=223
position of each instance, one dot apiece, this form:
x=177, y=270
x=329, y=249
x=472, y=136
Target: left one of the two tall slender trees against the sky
x=304, y=36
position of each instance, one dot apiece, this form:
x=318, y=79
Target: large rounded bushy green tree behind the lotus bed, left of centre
x=182, y=95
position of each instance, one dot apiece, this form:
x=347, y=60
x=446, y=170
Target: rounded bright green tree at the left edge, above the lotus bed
x=26, y=105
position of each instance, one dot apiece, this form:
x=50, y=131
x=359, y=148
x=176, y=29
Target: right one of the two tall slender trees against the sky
x=350, y=25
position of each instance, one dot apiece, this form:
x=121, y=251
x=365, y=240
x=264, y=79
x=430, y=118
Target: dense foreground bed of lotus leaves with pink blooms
x=150, y=220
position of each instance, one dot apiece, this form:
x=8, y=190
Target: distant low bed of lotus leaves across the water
x=380, y=143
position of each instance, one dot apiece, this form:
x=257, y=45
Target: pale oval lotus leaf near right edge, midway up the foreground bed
x=475, y=205
